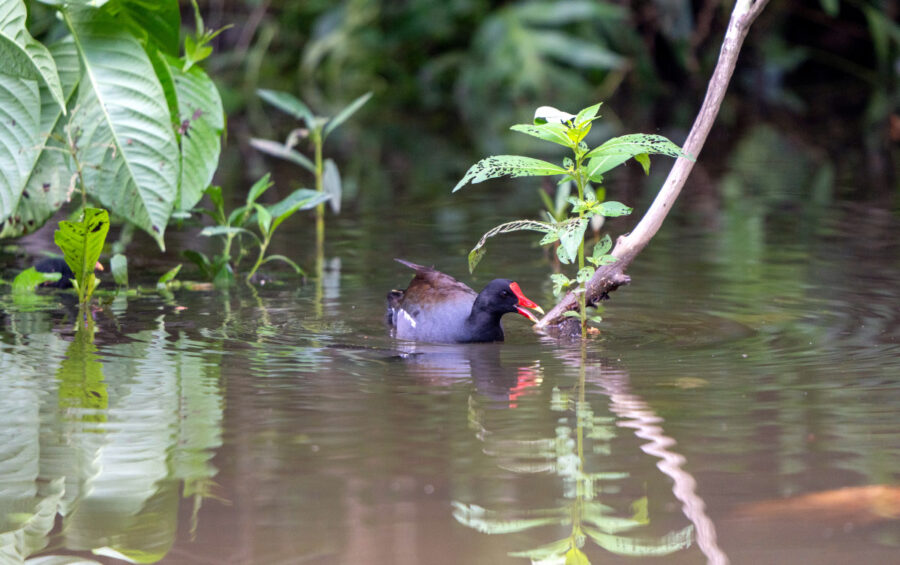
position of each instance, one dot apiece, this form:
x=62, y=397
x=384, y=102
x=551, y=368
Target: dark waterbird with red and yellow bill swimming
x=438, y=308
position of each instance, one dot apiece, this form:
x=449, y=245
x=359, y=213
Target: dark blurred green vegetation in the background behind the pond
x=816, y=93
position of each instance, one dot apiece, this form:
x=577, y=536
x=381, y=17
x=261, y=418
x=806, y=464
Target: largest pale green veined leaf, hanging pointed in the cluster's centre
x=127, y=142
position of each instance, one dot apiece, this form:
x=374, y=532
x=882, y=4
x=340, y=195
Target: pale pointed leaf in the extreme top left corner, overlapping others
x=23, y=56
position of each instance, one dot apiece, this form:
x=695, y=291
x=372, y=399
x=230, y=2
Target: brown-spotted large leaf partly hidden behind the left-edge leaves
x=45, y=189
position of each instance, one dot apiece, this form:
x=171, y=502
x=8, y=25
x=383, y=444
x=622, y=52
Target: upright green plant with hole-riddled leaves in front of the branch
x=585, y=168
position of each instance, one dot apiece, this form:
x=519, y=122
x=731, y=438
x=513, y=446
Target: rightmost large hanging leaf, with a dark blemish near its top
x=201, y=120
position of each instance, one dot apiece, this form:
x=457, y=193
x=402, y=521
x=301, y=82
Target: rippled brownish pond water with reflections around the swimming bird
x=740, y=405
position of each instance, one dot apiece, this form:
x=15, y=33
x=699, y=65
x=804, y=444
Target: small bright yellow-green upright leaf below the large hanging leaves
x=81, y=244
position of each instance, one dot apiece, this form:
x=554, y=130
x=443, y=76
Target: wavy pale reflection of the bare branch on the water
x=639, y=416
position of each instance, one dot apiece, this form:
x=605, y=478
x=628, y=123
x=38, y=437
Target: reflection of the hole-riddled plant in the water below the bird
x=564, y=455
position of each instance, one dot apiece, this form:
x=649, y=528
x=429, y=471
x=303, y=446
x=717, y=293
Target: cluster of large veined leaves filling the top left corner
x=144, y=123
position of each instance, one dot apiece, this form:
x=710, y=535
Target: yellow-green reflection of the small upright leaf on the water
x=80, y=376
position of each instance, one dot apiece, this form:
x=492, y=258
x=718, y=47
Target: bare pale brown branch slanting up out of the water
x=608, y=278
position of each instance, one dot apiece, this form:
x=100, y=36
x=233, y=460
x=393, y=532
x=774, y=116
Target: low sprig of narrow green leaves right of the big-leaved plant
x=236, y=229
